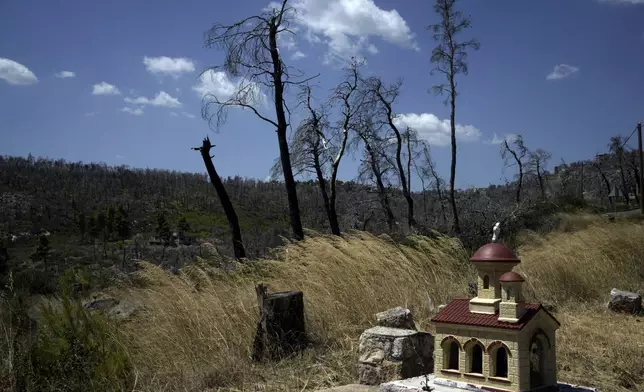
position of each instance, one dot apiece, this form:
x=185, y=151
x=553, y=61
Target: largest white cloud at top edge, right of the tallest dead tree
x=347, y=25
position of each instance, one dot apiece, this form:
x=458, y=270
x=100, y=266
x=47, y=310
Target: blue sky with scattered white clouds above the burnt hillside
x=131, y=94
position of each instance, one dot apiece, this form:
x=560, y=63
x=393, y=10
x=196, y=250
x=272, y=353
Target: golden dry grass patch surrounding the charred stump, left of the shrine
x=198, y=328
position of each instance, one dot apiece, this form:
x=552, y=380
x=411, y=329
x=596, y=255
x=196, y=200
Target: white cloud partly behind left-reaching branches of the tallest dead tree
x=219, y=85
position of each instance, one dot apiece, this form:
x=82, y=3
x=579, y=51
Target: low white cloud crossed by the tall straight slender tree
x=435, y=131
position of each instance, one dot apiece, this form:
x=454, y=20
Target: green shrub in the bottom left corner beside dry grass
x=77, y=351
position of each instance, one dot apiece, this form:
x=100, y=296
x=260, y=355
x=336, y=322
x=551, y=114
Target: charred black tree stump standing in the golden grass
x=280, y=329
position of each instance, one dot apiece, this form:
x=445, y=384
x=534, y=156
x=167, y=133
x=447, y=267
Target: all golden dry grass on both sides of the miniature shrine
x=197, y=330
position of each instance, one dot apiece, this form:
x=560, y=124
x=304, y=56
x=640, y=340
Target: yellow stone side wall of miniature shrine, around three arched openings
x=486, y=336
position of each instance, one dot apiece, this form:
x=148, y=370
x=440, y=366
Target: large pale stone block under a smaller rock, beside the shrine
x=387, y=353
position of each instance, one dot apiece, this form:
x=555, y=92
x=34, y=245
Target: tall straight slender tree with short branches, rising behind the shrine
x=450, y=57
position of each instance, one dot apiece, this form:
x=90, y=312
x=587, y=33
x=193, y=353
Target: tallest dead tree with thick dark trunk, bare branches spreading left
x=252, y=55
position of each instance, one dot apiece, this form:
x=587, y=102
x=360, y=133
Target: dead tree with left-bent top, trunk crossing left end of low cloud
x=381, y=98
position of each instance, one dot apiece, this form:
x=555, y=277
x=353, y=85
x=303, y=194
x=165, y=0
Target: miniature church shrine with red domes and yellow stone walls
x=496, y=341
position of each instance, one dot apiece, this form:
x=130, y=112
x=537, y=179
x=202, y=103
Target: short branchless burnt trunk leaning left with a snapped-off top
x=227, y=205
